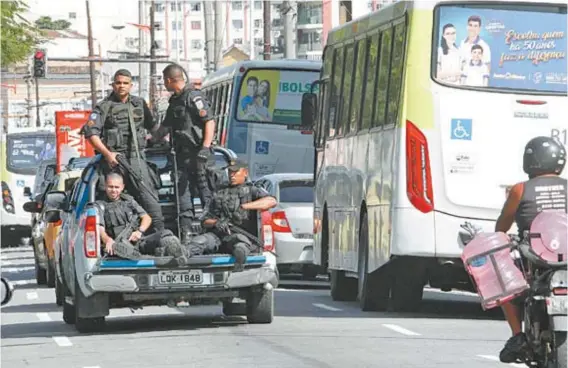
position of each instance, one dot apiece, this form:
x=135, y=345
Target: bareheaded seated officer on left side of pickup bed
x=120, y=211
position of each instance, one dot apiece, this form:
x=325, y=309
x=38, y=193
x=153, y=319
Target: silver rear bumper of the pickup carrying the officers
x=140, y=282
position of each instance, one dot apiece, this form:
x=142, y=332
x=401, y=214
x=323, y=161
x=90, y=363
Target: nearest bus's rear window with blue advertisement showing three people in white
x=514, y=47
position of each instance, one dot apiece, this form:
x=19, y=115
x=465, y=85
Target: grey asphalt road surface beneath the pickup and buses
x=309, y=330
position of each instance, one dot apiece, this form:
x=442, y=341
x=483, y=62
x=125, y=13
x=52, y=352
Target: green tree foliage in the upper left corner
x=19, y=37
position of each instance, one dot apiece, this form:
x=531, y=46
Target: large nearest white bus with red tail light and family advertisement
x=424, y=109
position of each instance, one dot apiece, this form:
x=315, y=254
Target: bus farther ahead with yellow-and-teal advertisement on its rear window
x=256, y=105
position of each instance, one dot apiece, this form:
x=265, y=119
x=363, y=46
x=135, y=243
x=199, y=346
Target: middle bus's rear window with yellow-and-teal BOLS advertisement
x=273, y=96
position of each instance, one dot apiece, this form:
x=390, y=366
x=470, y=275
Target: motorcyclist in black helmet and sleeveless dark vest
x=543, y=161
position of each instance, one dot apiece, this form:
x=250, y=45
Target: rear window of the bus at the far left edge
x=25, y=153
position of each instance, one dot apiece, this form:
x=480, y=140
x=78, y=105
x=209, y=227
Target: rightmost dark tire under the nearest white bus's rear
x=408, y=284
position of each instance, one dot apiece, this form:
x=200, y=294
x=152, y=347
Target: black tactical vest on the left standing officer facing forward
x=117, y=135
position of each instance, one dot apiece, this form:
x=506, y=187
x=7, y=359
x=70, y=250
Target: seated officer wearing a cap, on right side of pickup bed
x=236, y=205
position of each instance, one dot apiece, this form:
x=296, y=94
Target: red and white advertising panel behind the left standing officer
x=70, y=142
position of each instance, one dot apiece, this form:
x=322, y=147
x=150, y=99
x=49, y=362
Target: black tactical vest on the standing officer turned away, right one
x=188, y=137
